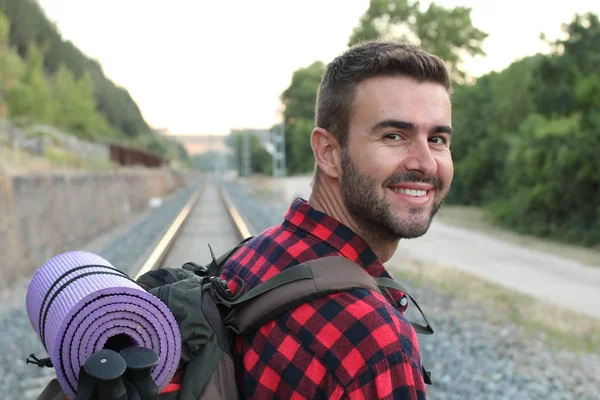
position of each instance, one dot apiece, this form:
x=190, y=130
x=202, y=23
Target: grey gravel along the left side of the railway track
x=125, y=250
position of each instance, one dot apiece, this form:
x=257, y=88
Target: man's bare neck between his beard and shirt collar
x=328, y=200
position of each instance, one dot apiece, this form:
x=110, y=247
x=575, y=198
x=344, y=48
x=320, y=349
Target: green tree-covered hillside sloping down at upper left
x=46, y=80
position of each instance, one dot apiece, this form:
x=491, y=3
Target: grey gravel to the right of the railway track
x=472, y=355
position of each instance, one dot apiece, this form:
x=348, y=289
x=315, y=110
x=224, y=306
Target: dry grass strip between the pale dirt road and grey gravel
x=560, y=329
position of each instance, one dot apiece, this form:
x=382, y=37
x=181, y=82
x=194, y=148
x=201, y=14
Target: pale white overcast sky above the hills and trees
x=205, y=67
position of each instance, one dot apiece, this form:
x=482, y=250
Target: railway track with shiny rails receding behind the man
x=208, y=217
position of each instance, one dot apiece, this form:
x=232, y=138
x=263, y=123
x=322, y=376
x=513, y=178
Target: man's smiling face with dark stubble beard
x=397, y=167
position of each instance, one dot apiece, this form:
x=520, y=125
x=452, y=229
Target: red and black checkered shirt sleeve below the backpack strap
x=350, y=345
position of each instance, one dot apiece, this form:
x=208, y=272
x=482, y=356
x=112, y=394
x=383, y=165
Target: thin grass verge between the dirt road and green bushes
x=476, y=219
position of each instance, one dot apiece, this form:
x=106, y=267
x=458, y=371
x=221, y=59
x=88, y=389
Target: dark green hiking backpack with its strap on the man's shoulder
x=209, y=317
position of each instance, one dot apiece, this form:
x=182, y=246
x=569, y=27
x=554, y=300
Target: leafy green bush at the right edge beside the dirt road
x=553, y=170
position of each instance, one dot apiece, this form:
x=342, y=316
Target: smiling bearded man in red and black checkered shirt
x=383, y=169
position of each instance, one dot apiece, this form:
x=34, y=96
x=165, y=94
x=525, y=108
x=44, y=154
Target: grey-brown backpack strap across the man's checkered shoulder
x=299, y=284
